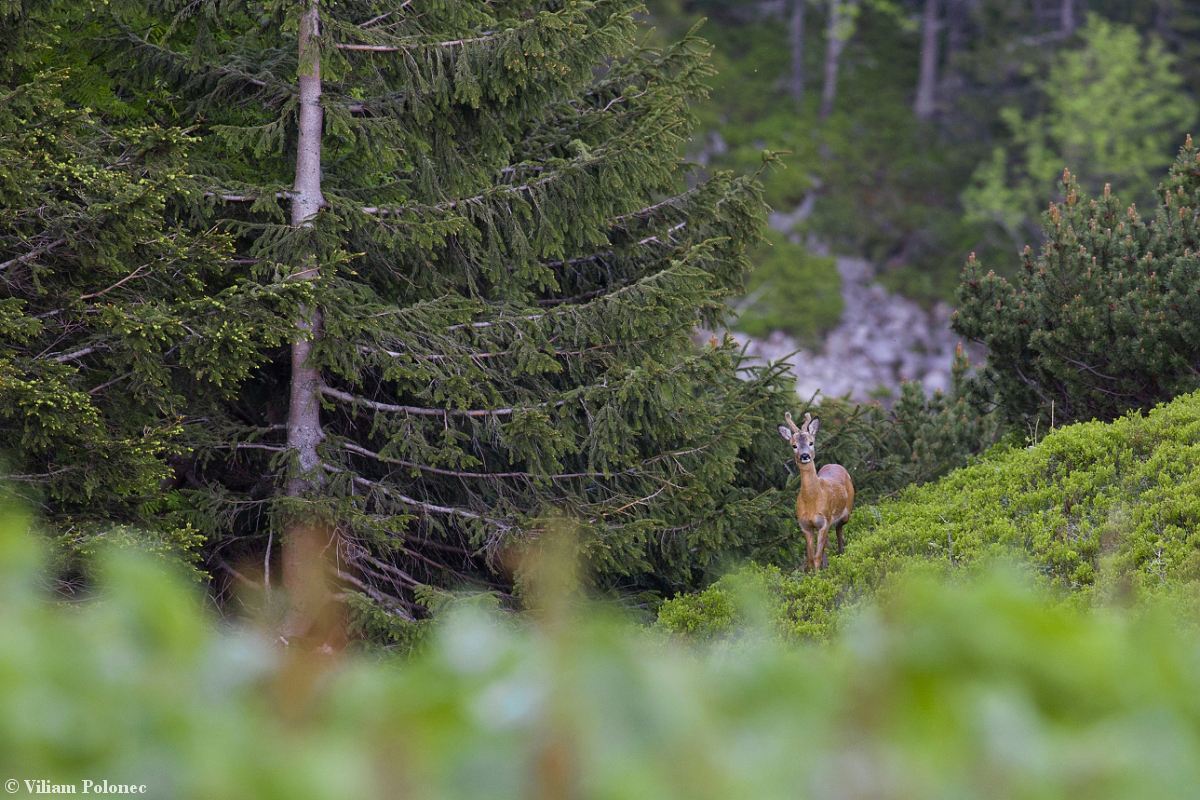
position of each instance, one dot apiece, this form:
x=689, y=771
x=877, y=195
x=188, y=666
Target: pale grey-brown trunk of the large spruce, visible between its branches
x=304, y=407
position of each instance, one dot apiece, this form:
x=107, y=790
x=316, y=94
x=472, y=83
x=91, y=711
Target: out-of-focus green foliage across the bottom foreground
x=981, y=689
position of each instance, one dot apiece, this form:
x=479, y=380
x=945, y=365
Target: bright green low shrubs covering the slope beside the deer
x=1105, y=512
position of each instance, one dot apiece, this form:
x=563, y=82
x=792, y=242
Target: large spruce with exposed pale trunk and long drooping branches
x=496, y=263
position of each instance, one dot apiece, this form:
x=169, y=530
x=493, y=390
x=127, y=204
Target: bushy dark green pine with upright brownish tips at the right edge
x=1106, y=317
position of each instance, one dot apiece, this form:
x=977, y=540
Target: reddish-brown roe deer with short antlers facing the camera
x=826, y=498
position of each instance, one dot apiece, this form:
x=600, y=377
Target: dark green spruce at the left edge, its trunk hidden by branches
x=113, y=312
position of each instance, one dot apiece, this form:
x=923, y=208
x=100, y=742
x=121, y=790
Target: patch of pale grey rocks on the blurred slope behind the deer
x=883, y=341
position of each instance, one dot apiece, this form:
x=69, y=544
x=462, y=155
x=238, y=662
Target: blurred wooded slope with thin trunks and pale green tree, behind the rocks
x=917, y=133
